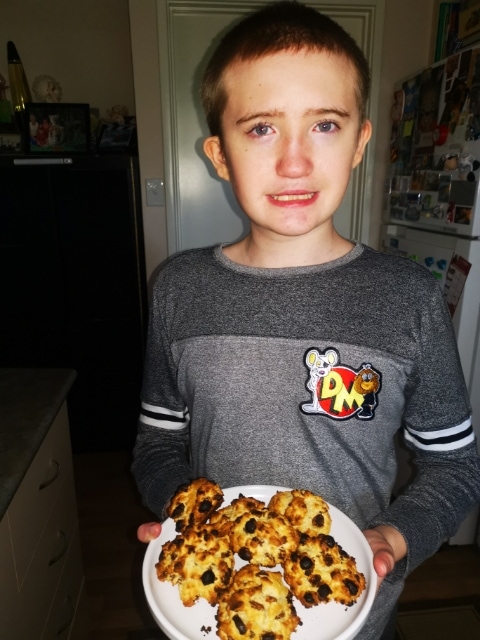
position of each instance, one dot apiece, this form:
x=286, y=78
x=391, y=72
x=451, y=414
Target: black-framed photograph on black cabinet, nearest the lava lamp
x=57, y=128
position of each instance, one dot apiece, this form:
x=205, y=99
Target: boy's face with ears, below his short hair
x=291, y=135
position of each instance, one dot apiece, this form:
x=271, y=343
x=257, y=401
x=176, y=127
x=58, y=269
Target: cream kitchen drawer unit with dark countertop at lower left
x=41, y=582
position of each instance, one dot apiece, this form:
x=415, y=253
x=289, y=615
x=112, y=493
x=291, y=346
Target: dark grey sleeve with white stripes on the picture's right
x=437, y=428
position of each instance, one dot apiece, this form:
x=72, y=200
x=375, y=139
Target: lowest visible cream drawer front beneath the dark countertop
x=64, y=610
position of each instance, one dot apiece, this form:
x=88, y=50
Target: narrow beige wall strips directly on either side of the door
x=407, y=48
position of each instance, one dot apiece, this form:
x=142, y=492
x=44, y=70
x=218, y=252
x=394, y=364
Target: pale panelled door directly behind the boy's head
x=201, y=209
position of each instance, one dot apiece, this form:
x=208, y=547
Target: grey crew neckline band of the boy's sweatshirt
x=273, y=272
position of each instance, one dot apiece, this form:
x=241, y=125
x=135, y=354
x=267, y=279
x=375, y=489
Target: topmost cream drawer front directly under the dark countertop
x=36, y=496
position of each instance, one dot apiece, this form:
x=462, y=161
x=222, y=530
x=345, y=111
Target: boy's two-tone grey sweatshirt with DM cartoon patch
x=301, y=377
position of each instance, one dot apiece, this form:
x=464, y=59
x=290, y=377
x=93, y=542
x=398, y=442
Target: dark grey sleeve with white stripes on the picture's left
x=161, y=453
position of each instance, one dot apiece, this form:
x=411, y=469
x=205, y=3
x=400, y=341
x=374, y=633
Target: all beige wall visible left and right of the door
x=86, y=46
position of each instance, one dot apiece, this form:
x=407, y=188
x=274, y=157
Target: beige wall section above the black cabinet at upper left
x=85, y=45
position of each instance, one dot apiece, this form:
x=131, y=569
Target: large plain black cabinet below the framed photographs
x=72, y=277
